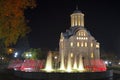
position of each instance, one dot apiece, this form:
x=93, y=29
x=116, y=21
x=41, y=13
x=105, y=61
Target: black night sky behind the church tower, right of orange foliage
x=51, y=17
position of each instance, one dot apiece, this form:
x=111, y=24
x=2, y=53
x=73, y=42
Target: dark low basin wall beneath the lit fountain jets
x=64, y=75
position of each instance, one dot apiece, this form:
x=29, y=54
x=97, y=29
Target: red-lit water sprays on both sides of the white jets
x=36, y=65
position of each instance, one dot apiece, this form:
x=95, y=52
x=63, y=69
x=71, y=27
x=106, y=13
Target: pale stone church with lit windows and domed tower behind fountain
x=77, y=41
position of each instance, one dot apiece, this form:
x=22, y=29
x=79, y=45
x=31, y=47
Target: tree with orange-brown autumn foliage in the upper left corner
x=12, y=20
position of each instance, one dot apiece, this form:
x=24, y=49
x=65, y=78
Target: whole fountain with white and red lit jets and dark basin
x=78, y=70
